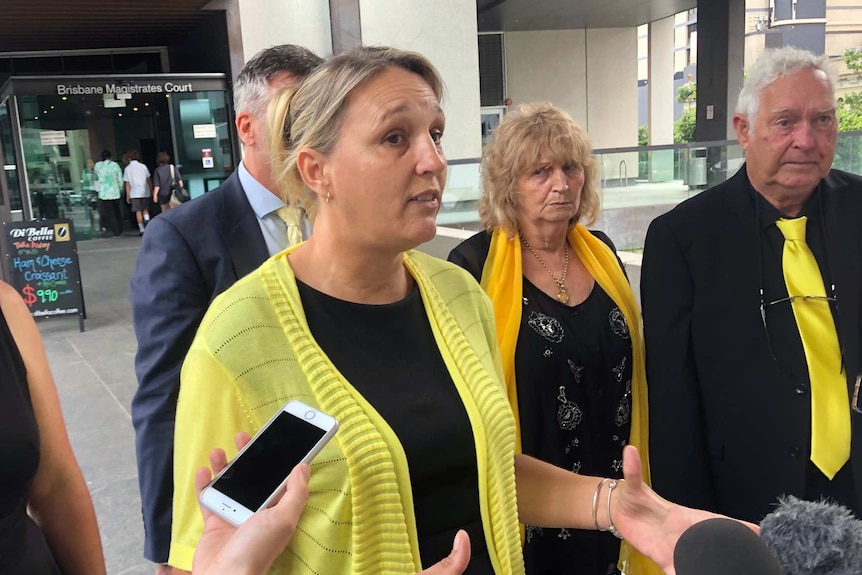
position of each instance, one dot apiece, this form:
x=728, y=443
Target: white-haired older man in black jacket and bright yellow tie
x=736, y=380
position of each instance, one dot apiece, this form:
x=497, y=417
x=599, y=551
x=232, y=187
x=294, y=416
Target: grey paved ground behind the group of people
x=94, y=373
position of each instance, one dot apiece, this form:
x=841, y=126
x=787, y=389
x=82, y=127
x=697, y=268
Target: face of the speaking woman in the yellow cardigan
x=387, y=171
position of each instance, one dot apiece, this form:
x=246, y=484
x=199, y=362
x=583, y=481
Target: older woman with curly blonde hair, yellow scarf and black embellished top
x=567, y=321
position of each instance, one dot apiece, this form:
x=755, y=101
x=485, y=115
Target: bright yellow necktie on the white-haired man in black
x=830, y=407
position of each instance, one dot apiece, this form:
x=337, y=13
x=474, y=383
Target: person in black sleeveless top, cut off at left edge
x=47, y=522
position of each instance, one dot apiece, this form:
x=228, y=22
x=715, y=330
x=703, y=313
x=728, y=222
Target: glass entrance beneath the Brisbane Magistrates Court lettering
x=63, y=136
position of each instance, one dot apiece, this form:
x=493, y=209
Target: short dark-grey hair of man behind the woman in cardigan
x=251, y=90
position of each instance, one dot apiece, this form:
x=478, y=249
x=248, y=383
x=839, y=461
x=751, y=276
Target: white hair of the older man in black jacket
x=777, y=63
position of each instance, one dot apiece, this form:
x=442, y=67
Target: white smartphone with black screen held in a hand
x=256, y=477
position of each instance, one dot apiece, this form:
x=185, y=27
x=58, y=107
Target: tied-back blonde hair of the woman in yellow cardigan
x=310, y=115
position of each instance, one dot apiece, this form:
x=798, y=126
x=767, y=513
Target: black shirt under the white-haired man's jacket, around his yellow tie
x=781, y=323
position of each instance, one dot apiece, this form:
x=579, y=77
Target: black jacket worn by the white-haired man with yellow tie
x=729, y=429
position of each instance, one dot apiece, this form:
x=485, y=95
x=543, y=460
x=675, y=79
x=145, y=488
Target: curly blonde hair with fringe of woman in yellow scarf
x=530, y=132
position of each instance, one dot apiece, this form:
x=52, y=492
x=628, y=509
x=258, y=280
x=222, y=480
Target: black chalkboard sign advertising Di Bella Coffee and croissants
x=42, y=258
